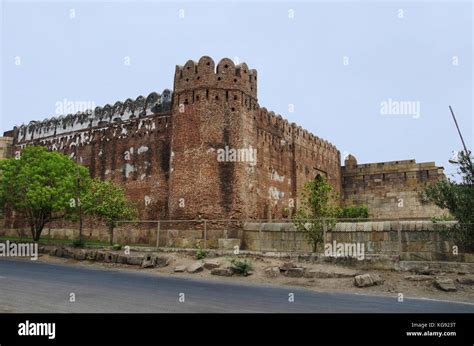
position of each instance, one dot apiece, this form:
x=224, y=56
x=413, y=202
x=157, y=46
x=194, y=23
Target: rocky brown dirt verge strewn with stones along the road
x=395, y=282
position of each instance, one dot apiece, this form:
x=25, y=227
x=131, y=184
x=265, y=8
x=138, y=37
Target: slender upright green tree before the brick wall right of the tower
x=318, y=211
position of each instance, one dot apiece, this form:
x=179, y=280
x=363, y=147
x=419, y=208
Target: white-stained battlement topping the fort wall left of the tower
x=101, y=116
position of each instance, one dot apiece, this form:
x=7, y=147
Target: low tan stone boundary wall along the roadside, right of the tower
x=413, y=240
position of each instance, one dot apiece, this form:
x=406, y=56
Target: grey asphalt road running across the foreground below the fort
x=29, y=286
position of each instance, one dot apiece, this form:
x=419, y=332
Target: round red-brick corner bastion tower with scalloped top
x=212, y=105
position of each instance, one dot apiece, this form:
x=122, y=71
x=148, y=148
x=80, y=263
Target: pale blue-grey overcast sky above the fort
x=345, y=67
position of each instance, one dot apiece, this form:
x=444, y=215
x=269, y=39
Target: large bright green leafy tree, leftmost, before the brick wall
x=41, y=186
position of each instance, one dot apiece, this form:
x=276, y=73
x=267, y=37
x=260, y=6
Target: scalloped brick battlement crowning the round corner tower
x=226, y=75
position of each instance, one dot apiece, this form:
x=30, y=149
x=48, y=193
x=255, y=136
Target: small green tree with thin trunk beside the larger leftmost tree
x=108, y=202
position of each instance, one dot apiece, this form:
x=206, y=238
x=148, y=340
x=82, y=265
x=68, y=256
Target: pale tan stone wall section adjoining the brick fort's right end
x=390, y=189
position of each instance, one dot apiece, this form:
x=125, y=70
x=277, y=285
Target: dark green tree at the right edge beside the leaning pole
x=458, y=198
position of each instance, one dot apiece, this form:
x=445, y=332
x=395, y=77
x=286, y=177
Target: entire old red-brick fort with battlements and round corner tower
x=164, y=149
